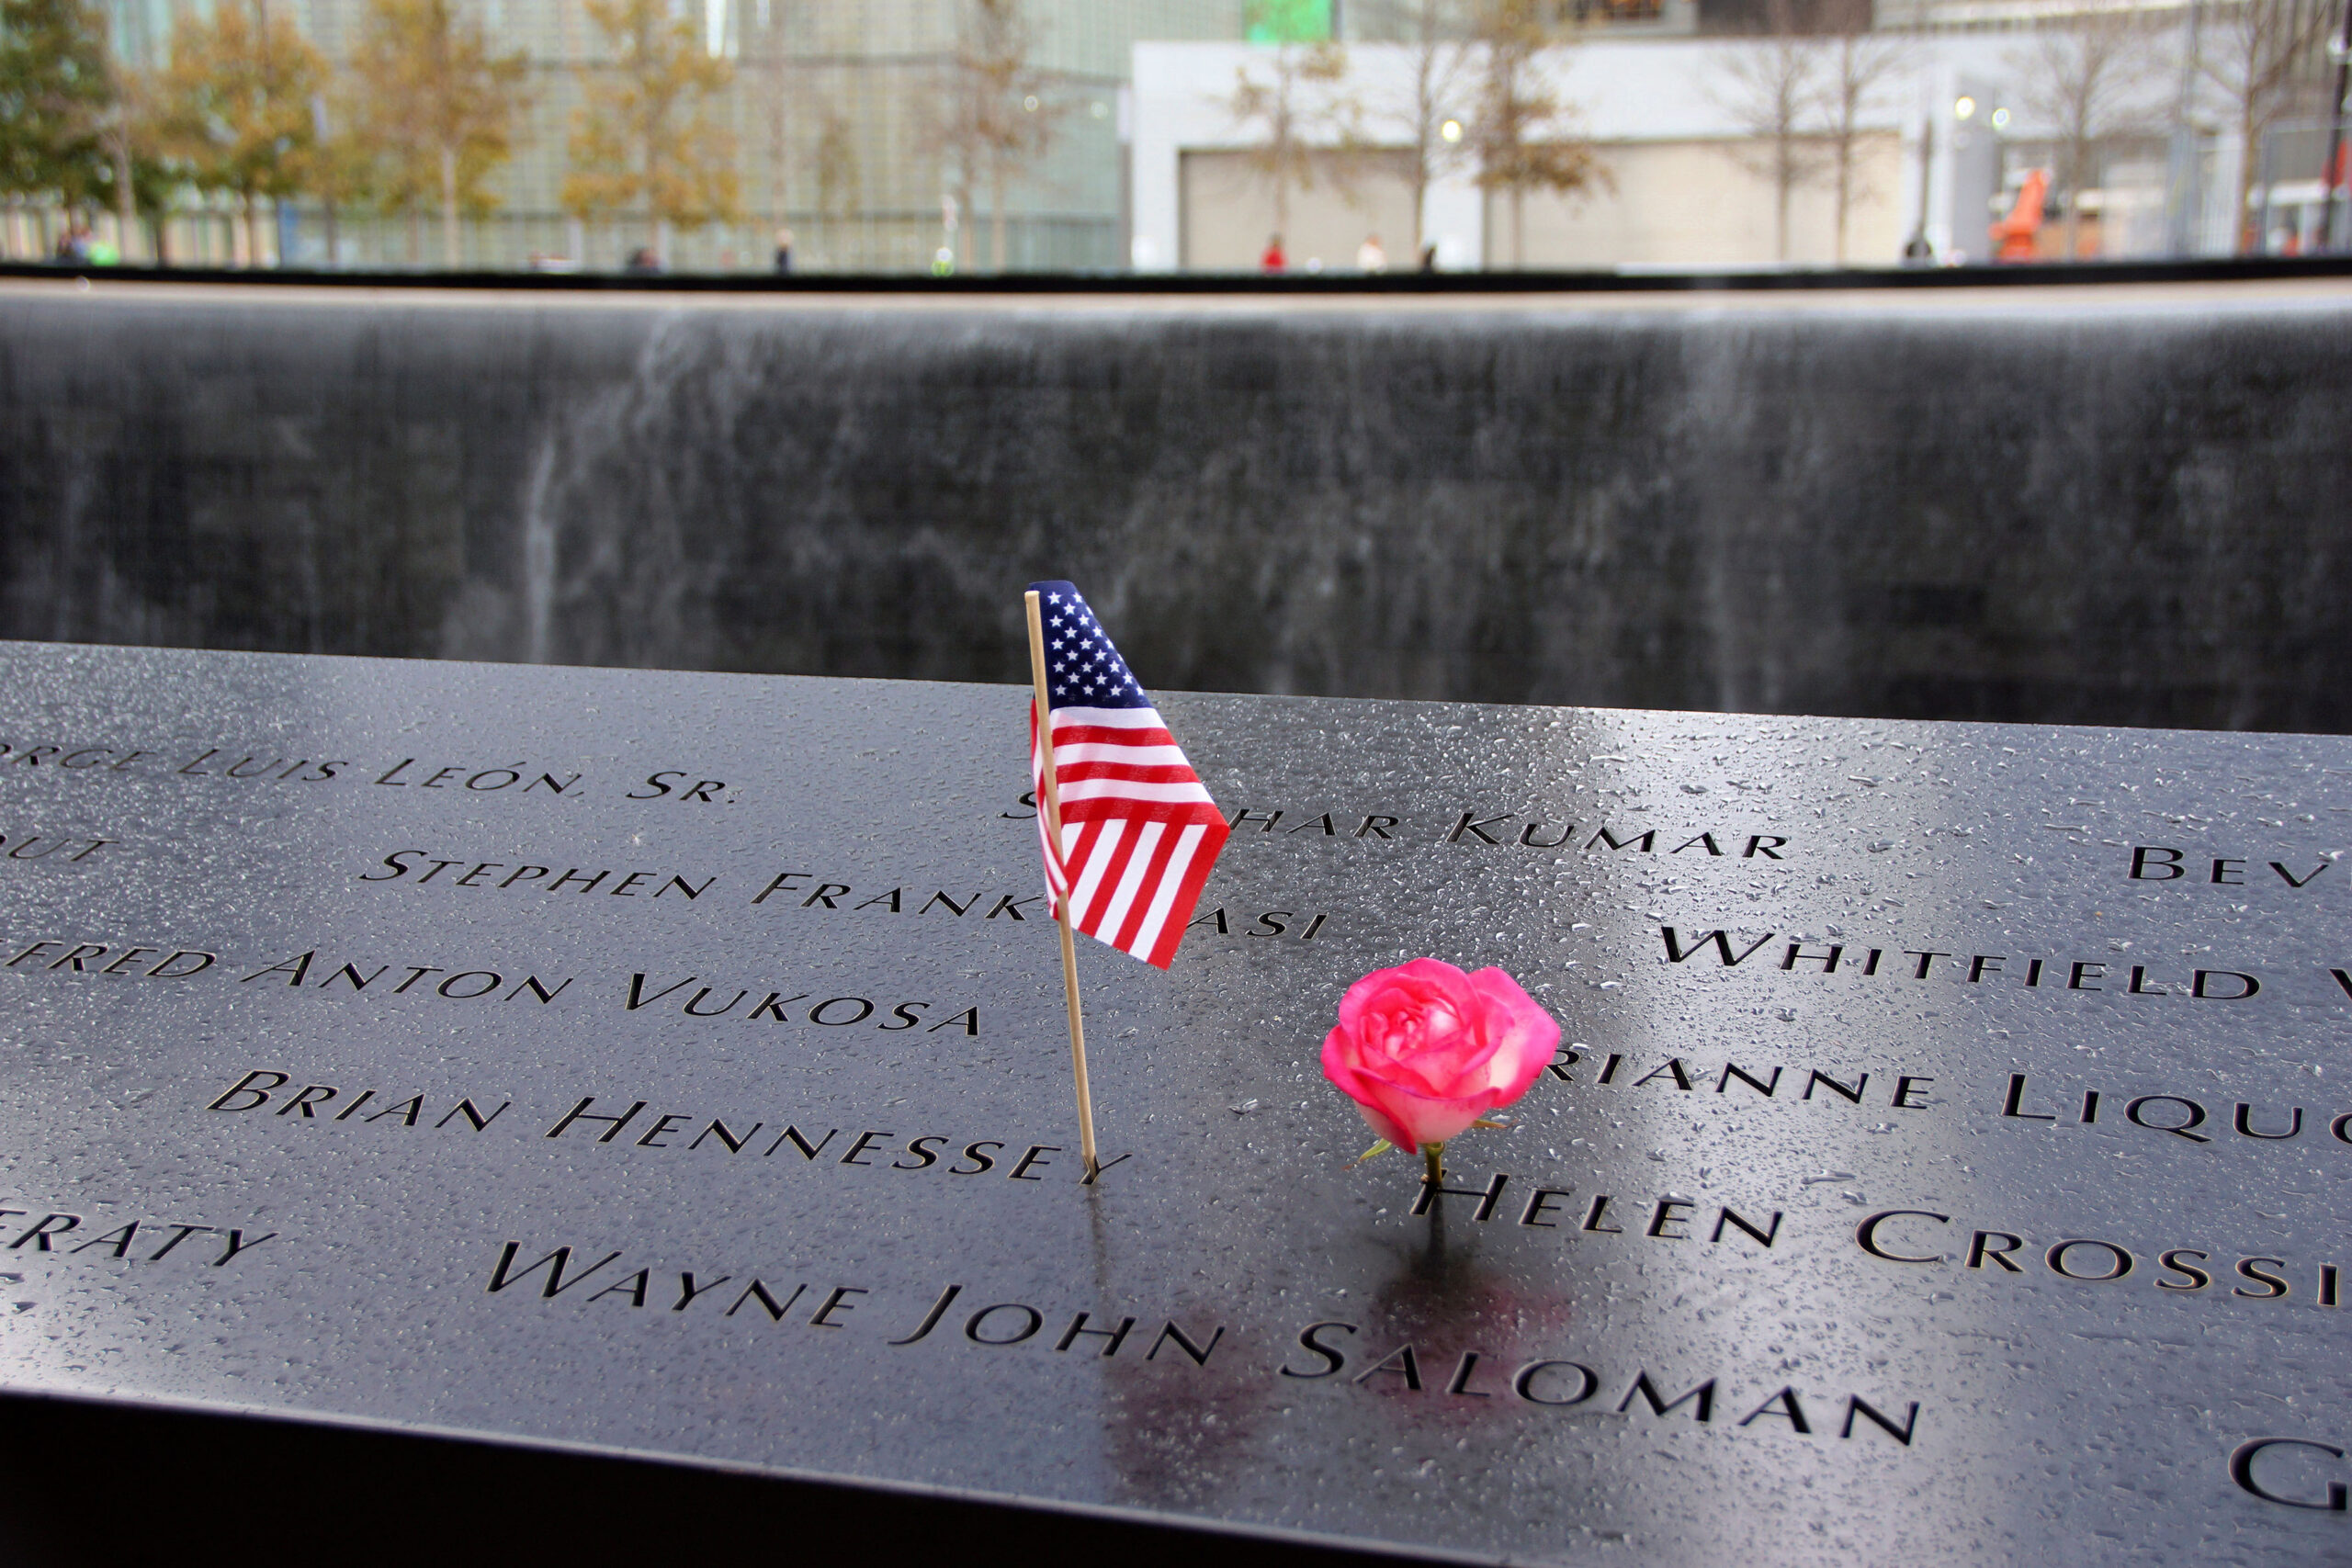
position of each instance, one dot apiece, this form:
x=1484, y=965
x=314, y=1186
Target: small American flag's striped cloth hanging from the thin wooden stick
x=1140, y=833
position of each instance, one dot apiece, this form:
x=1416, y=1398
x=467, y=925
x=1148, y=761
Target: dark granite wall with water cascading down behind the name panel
x=2069, y=509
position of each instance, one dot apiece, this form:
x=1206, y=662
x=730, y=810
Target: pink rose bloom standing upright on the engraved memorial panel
x=1429, y=1050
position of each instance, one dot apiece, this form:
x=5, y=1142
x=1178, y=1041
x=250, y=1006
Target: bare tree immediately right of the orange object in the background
x=2087, y=79
